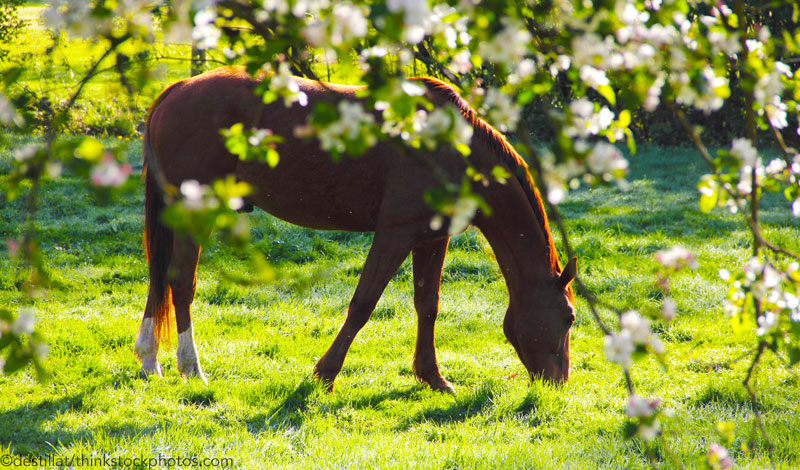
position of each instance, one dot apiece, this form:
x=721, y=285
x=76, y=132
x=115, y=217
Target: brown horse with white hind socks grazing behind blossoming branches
x=382, y=192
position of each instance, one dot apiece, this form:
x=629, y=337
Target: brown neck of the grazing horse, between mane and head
x=517, y=238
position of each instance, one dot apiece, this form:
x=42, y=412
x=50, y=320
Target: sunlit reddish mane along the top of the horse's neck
x=498, y=144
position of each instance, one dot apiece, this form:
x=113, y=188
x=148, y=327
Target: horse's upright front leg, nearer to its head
x=428, y=259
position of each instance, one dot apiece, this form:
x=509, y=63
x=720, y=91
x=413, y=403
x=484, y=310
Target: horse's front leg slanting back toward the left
x=389, y=249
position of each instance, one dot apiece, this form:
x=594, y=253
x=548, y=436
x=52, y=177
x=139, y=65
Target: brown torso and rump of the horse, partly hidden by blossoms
x=306, y=187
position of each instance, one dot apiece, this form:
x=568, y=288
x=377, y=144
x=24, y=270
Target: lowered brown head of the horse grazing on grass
x=538, y=327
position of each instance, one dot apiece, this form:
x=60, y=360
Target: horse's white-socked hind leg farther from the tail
x=183, y=279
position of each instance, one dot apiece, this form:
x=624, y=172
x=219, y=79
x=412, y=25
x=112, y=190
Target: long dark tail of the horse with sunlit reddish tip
x=158, y=240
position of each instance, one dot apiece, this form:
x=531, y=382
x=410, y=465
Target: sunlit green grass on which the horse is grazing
x=258, y=345
